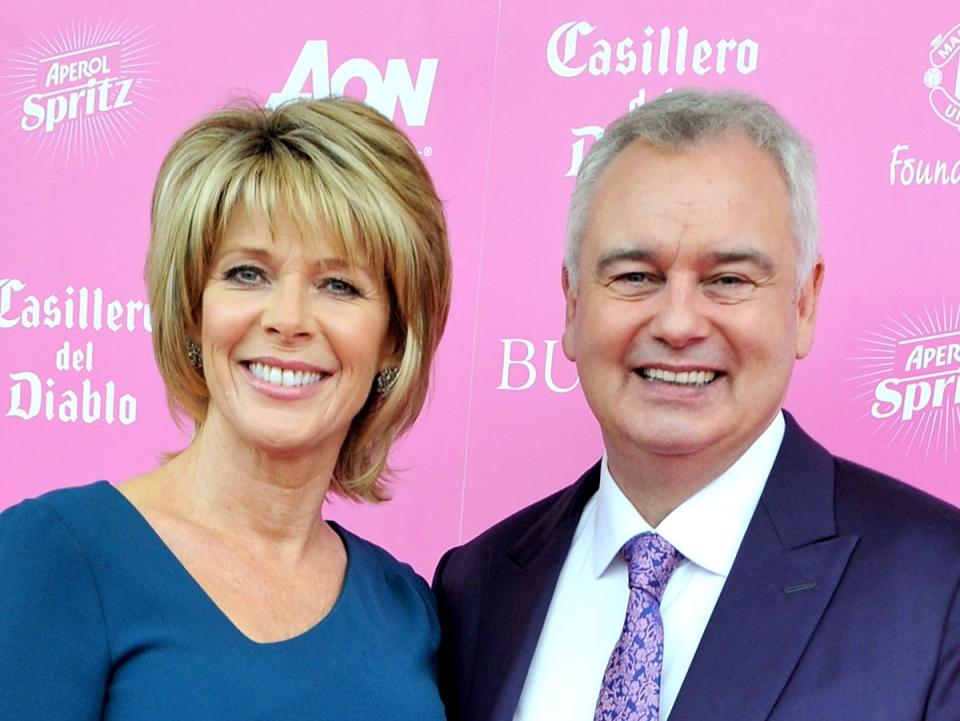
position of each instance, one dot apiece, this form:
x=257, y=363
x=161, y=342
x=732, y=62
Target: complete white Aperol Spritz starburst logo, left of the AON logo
x=81, y=91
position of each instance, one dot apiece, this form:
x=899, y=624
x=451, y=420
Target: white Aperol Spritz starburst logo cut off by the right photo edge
x=909, y=380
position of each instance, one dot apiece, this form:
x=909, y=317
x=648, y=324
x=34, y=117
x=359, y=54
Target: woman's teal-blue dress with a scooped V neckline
x=99, y=620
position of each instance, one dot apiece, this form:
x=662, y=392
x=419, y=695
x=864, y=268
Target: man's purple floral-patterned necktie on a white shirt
x=631, y=683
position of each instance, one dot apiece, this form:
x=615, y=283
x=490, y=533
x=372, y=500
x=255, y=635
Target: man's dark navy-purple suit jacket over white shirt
x=843, y=603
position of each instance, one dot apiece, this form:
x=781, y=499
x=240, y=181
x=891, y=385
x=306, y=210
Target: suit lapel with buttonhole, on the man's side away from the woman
x=785, y=573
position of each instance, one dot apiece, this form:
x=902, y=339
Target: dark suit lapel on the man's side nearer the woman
x=523, y=576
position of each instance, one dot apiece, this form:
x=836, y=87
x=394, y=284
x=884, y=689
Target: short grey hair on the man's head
x=685, y=119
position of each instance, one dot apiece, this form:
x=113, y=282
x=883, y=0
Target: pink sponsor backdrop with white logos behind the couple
x=502, y=100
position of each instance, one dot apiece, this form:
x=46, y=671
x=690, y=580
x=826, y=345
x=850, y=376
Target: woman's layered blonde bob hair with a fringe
x=334, y=167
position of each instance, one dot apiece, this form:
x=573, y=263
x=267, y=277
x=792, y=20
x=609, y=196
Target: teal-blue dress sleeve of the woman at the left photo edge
x=54, y=656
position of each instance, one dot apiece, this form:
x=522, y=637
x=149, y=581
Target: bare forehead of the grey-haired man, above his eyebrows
x=721, y=201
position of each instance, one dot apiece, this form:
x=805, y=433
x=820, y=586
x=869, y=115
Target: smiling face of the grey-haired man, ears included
x=685, y=321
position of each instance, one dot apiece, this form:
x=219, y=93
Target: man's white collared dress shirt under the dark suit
x=590, y=600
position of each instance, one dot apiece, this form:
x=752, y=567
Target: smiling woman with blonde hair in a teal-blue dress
x=299, y=281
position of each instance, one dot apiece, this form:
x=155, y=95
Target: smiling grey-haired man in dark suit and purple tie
x=767, y=579
